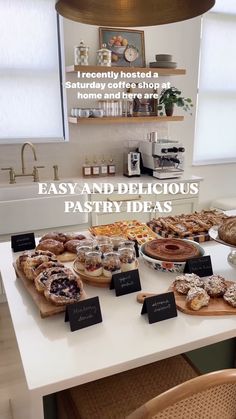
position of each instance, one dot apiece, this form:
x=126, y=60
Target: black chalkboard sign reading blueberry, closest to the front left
x=83, y=314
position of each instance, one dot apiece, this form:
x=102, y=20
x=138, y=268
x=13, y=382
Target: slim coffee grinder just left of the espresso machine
x=131, y=162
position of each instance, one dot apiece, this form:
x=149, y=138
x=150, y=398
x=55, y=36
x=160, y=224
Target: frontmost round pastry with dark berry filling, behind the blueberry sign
x=62, y=289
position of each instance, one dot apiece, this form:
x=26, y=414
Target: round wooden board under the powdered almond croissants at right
x=216, y=307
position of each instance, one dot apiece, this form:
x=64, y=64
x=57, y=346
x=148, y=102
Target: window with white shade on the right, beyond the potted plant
x=215, y=137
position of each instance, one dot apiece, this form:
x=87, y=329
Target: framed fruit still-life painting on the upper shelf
x=117, y=40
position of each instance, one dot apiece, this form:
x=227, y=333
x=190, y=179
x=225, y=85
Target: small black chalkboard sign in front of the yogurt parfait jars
x=126, y=282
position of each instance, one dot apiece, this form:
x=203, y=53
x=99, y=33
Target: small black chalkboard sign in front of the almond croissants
x=160, y=307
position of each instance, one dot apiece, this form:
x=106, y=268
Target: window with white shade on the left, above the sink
x=31, y=94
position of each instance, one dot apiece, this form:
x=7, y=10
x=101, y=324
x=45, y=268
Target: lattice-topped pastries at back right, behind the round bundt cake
x=193, y=226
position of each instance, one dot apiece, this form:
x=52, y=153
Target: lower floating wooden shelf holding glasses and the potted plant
x=124, y=120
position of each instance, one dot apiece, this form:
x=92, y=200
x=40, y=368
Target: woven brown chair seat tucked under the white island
x=117, y=396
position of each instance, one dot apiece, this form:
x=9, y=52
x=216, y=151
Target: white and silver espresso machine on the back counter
x=163, y=158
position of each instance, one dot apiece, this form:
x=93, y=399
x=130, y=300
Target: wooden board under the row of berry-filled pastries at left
x=46, y=308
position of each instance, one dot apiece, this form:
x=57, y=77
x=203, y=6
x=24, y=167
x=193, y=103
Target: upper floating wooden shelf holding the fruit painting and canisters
x=100, y=69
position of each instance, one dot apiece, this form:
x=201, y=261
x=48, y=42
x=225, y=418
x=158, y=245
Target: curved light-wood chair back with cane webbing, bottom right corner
x=210, y=396
